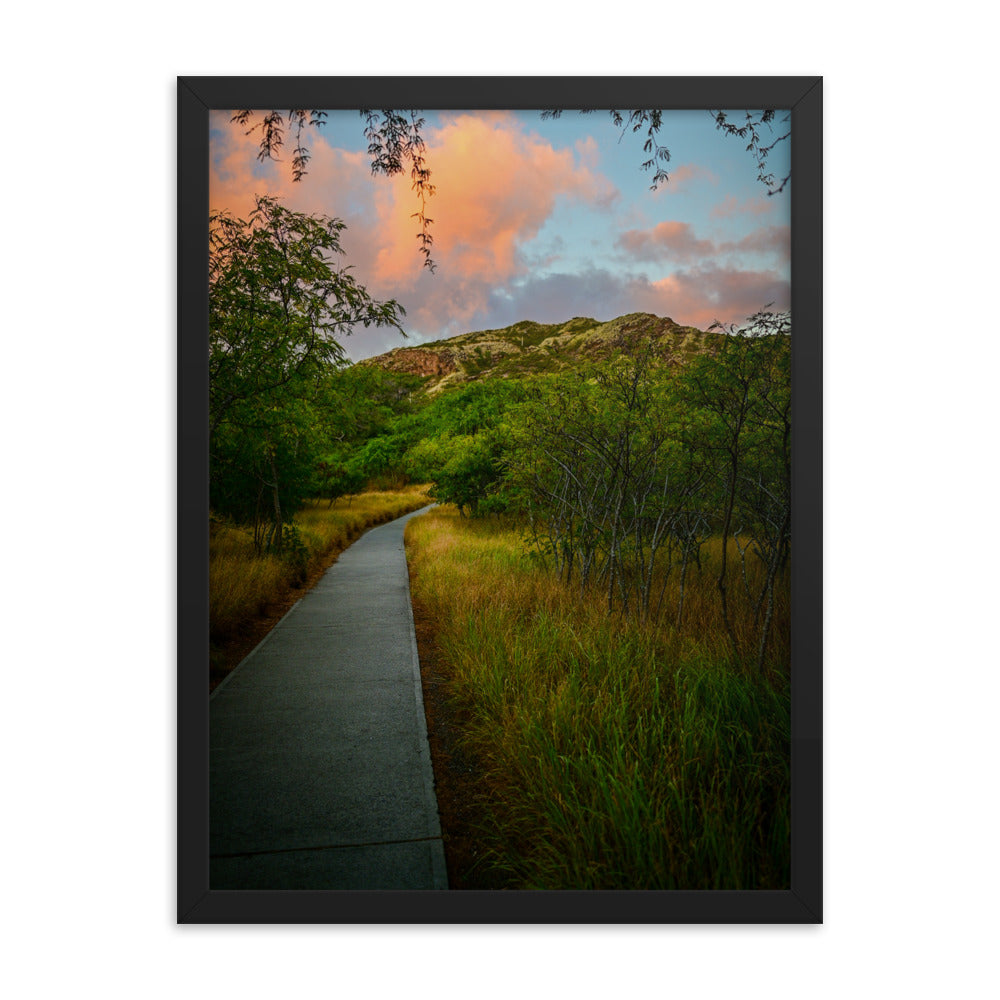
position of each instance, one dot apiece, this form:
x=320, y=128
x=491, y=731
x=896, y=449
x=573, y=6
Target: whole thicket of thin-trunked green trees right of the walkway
x=626, y=469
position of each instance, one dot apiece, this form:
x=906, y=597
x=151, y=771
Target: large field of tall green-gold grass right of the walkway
x=609, y=755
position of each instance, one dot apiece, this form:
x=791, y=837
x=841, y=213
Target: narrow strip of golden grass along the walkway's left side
x=245, y=587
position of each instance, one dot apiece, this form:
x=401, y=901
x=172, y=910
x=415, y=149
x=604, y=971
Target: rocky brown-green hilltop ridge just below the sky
x=529, y=347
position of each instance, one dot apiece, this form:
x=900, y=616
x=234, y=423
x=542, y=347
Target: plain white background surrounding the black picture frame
x=88, y=212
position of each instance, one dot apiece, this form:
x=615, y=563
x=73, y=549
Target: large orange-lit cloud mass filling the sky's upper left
x=496, y=185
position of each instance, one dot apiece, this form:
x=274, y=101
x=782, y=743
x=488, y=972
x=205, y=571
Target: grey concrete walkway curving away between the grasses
x=320, y=769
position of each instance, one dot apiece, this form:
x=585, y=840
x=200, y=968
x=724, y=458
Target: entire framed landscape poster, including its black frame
x=590, y=689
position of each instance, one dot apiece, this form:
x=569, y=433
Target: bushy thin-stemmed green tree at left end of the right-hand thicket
x=593, y=456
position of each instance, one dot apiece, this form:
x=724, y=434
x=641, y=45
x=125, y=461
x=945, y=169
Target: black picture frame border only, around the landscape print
x=802, y=903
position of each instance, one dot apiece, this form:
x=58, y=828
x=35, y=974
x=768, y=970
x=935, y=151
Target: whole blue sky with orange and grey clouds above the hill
x=535, y=219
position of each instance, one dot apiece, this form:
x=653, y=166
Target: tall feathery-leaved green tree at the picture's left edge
x=279, y=305
